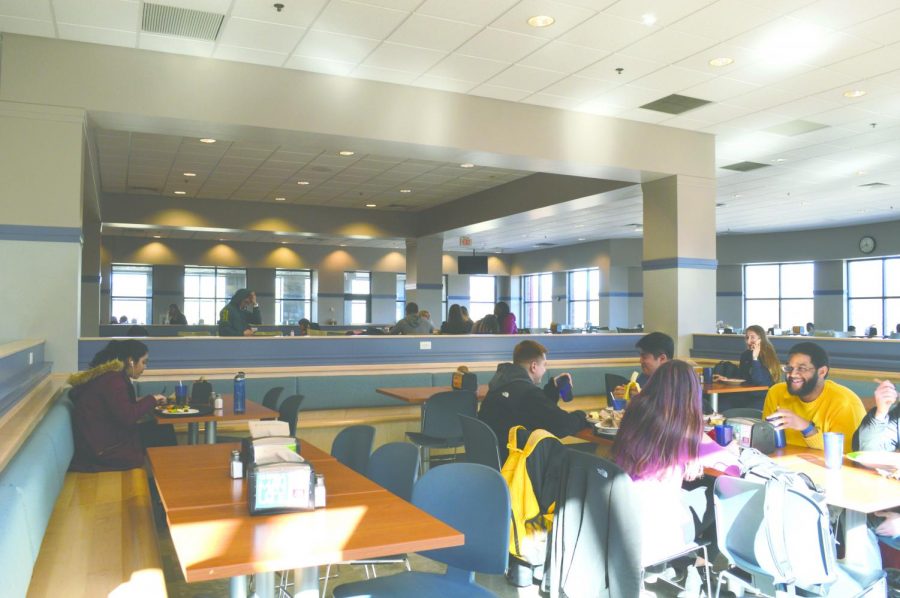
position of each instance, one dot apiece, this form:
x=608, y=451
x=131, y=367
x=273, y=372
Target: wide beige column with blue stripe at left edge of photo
x=40, y=235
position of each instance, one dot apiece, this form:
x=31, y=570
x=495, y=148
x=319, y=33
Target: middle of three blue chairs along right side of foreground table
x=394, y=467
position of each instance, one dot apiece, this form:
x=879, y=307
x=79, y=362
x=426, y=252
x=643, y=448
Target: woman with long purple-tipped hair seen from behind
x=661, y=445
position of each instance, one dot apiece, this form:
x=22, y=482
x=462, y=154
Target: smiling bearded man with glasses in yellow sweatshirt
x=806, y=405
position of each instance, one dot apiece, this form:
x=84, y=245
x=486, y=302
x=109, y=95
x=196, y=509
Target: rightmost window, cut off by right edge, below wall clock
x=873, y=294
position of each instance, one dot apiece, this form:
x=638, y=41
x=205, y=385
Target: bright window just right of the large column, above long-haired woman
x=779, y=295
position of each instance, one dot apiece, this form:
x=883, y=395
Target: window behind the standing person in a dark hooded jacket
x=208, y=289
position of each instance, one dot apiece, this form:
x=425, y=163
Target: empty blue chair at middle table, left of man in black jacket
x=440, y=422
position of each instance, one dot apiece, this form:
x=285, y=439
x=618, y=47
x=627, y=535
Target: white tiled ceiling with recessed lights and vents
x=793, y=60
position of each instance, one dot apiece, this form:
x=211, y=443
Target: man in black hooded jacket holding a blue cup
x=515, y=398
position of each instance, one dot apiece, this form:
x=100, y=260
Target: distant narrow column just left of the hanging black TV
x=424, y=273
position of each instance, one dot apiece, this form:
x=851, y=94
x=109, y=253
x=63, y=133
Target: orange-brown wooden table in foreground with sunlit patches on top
x=215, y=537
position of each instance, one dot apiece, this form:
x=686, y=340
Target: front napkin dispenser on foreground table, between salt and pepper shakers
x=282, y=487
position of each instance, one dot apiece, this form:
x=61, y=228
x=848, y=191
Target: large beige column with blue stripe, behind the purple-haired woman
x=679, y=261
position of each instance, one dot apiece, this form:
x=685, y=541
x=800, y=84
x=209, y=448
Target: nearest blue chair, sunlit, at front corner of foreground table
x=471, y=498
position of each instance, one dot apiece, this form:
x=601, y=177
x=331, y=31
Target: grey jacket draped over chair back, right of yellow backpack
x=596, y=533
